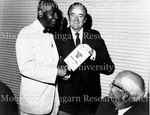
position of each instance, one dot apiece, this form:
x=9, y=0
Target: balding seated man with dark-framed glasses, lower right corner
x=125, y=97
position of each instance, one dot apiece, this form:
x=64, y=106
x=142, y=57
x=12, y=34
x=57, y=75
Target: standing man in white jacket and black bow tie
x=37, y=59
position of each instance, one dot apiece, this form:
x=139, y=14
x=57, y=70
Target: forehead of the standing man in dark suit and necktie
x=77, y=10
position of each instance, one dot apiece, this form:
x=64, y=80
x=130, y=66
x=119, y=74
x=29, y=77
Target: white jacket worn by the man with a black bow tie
x=37, y=59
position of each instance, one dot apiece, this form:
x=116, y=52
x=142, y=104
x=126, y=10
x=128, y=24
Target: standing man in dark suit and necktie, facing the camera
x=79, y=93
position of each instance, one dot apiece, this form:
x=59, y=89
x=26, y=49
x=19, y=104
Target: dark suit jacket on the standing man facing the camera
x=85, y=81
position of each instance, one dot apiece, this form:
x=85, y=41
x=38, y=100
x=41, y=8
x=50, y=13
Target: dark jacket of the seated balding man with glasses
x=107, y=108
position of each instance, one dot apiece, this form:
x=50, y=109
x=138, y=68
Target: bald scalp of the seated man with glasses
x=132, y=83
